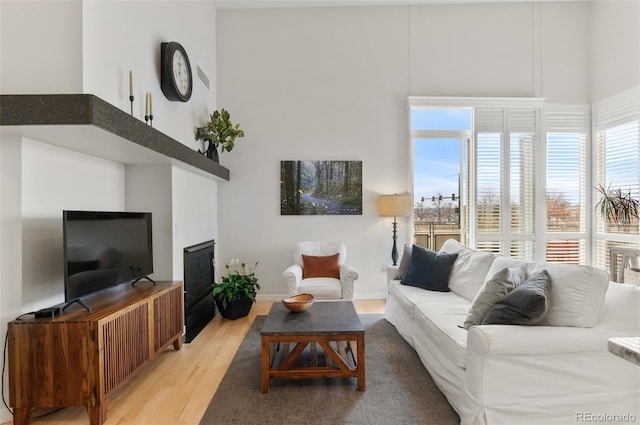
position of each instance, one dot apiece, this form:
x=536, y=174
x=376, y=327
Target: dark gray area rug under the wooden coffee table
x=399, y=390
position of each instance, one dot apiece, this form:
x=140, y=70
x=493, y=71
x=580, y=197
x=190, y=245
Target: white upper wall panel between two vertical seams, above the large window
x=472, y=50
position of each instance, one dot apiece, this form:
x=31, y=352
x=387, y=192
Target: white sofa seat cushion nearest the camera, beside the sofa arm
x=440, y=321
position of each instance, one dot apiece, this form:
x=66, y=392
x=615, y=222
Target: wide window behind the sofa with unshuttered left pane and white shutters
x=497, y=181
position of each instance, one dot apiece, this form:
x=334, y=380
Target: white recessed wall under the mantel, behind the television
x=53, y=180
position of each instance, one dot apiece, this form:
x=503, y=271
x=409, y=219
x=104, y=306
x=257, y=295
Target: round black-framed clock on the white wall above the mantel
x=176, y=80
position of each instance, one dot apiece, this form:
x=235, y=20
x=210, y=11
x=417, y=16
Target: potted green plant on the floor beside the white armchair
x=236, y=292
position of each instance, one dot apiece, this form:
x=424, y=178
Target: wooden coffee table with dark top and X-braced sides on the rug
x=326, y=341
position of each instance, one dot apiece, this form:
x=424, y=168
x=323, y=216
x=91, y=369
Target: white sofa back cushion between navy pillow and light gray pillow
x=469, y=270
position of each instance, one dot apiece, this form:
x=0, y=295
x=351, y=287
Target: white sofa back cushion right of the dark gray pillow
x=577, y=294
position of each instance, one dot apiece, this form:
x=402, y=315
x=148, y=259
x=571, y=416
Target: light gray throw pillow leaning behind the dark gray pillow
x=500, y=284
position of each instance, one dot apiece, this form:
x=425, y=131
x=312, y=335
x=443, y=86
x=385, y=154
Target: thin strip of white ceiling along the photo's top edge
x=247, y=4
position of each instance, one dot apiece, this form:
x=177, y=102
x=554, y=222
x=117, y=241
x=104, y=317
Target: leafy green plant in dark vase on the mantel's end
x=219, y=132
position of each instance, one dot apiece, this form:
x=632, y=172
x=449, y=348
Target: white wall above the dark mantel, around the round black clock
x=119, y=36
